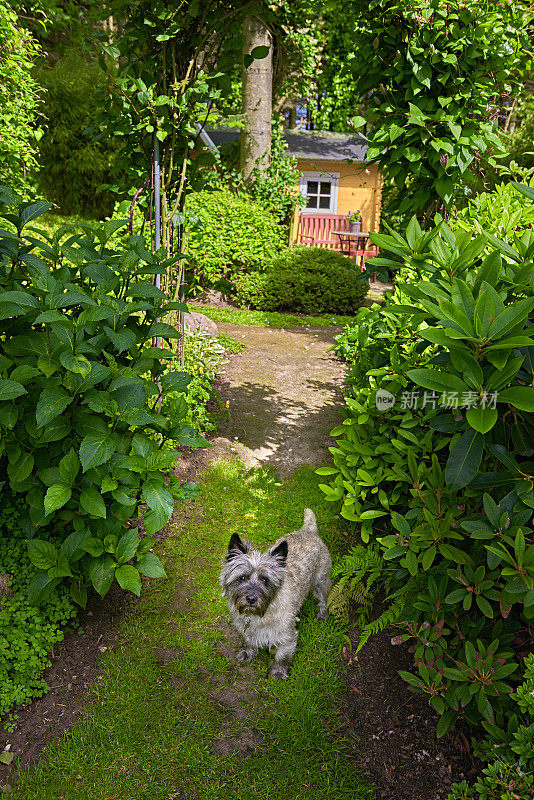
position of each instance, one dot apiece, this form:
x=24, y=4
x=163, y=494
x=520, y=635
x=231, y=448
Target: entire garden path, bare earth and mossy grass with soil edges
x=172, y=714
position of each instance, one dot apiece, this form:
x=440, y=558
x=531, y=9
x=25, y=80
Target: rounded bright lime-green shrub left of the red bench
x=236, y=234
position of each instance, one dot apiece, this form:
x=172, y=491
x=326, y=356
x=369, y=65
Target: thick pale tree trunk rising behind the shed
x=257, y=100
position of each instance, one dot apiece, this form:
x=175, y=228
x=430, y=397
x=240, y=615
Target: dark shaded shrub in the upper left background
x=72, y=166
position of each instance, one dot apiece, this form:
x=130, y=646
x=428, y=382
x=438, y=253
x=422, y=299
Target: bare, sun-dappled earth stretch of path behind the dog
x=281, y=397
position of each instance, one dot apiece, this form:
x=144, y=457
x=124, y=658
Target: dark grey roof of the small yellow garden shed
x=317, y=145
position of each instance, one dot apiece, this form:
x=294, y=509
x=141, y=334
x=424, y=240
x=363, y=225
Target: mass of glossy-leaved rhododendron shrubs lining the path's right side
x=434, y=460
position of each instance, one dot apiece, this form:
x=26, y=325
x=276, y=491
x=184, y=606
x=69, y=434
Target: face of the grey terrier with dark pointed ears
x=251, y=579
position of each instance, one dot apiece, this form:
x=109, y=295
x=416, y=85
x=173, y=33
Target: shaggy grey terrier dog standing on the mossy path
x=265, y=591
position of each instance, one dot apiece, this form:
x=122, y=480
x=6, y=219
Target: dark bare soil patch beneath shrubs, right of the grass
x=392, y=730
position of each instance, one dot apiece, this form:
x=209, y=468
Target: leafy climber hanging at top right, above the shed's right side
x=436, y=72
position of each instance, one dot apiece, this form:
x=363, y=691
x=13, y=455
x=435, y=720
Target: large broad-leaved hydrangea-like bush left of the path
x=81, y=382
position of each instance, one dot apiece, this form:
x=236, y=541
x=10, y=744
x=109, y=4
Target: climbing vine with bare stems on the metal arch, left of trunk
x=162, y=84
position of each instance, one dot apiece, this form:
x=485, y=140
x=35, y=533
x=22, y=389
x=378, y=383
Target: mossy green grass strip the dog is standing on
x=148, y=729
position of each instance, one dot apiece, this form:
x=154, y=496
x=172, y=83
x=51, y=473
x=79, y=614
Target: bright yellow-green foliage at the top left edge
x=19, y=98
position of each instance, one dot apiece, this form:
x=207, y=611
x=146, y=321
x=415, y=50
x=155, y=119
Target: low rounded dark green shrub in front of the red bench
x=309, y=280
